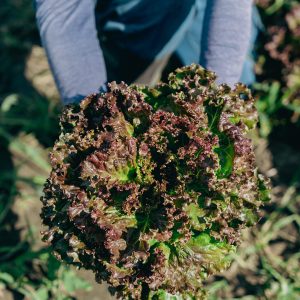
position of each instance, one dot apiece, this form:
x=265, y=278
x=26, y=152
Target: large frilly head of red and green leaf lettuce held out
x=150, y=187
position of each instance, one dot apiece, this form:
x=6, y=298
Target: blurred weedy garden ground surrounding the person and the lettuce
x=267, y=264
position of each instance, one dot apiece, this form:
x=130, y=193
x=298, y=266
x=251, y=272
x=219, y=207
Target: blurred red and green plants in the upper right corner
x=278, y=65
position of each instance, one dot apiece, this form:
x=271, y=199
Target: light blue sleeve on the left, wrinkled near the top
x=69, y=36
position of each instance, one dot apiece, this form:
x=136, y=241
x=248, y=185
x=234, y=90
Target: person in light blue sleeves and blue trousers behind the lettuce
x=89, y=42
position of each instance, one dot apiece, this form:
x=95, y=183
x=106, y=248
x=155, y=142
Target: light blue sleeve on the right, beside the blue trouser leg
x=226, y=37
